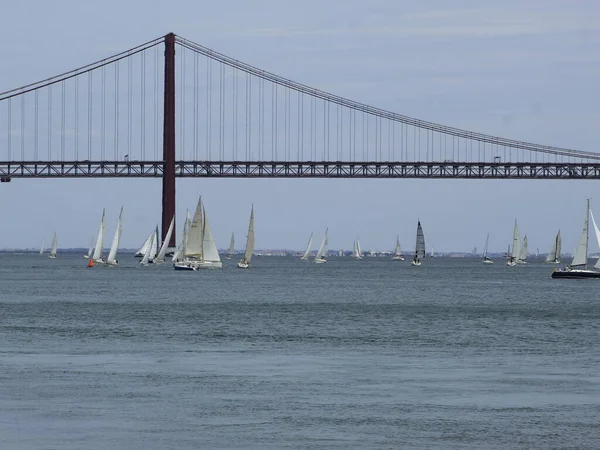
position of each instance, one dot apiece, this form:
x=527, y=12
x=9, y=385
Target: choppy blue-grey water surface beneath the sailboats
x=291, y=354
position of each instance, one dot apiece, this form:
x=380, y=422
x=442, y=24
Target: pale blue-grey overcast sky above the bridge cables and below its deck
x=522, y=70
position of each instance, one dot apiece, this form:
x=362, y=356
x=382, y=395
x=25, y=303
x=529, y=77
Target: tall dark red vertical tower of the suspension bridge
x=168, y=179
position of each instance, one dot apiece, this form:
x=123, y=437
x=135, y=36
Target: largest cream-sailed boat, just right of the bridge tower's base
x=200, y=250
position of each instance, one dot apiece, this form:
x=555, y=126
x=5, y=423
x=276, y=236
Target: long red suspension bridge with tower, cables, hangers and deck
x=221, y=117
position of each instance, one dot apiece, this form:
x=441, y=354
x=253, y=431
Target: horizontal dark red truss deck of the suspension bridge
x=317, y=169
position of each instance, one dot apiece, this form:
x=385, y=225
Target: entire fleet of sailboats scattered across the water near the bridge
x=197, y=248
